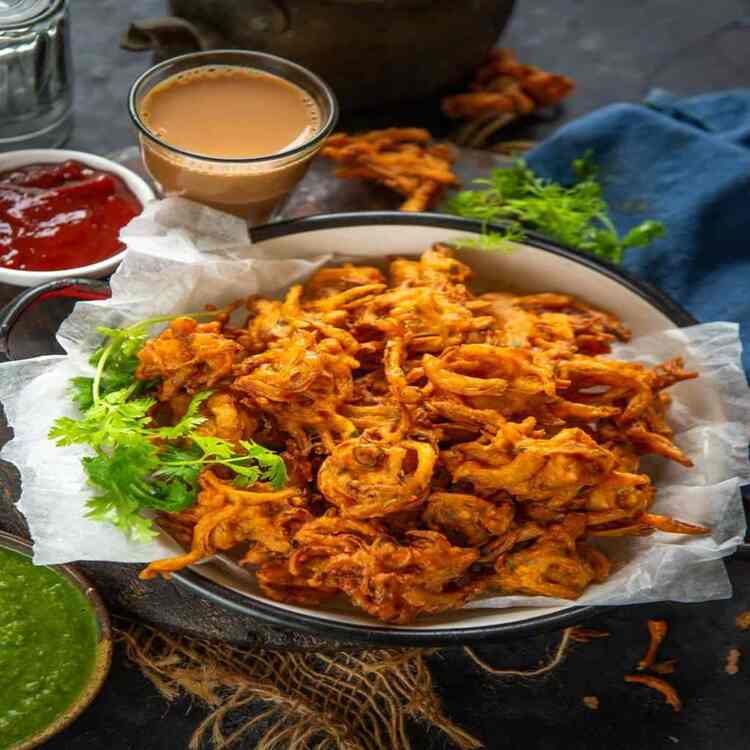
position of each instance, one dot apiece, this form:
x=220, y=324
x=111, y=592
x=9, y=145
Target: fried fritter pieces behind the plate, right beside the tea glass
x=402, y=159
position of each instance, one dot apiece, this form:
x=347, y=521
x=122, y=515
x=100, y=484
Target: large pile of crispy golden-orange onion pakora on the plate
x=440, y=445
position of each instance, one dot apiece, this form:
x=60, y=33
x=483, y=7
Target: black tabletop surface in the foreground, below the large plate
x=545, y=714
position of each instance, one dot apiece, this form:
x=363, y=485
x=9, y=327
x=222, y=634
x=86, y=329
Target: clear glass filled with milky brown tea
x=231, y=129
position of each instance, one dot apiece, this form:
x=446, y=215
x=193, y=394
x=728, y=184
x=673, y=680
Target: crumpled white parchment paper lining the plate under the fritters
x=182, y=256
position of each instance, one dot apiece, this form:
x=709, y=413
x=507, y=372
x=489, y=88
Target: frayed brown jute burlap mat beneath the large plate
x=301, y=700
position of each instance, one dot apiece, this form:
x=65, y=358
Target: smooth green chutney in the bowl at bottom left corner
x=48, y=642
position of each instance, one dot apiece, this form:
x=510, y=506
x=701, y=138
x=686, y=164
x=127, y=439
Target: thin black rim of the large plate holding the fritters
x=405, y=636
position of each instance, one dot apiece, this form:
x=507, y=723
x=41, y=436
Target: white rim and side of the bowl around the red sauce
x=16, y=159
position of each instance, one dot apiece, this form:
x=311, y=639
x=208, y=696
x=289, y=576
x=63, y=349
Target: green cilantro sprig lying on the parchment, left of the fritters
x=136, y=464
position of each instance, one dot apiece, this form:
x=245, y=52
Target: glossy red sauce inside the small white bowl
x=57, y=216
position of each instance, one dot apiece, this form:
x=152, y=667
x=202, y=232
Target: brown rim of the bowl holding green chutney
x=103, y=658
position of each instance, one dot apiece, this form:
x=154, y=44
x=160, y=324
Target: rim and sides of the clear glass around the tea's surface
x=252, y=188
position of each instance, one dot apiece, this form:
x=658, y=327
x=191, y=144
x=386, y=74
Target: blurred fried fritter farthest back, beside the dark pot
x=502, y=91
